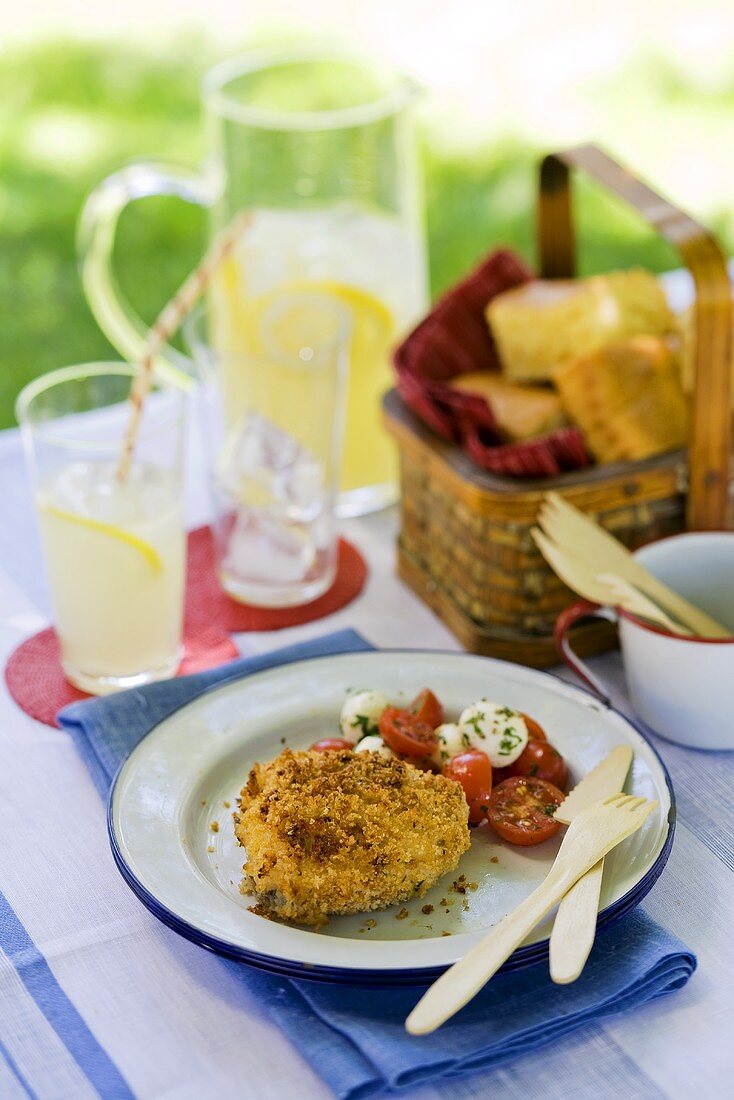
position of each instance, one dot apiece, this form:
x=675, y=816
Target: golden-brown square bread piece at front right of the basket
x=627, y=399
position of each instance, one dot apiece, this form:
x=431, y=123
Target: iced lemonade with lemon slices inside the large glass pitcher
x=369, y=265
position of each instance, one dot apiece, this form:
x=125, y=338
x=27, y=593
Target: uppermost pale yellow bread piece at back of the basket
x=543, y=325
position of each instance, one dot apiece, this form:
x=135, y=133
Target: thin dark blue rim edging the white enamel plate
x=523, y=958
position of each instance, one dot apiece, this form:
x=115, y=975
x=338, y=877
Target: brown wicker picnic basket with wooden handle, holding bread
x=465, y=544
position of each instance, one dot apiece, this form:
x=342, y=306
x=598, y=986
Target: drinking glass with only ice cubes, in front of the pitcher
x=273, y=426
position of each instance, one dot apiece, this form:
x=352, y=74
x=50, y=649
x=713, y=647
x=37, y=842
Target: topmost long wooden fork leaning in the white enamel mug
x=580, y=535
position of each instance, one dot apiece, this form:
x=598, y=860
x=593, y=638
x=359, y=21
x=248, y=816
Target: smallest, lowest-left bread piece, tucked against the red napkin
x=521, y=412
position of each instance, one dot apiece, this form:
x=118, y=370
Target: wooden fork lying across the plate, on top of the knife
x=591, y=835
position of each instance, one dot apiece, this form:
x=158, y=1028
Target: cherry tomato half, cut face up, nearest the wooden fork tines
x=521, y=810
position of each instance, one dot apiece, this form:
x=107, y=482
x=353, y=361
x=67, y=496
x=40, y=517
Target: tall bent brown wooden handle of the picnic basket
x=711, y=420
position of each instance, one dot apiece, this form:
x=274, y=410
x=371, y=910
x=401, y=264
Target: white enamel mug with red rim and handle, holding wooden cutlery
x=683, y=688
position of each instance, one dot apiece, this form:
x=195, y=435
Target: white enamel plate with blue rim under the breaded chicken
x=172, y=834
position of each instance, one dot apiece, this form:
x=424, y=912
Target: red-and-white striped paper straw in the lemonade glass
x=167, y=326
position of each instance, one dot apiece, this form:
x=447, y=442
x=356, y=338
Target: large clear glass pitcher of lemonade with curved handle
x=320, y=148
